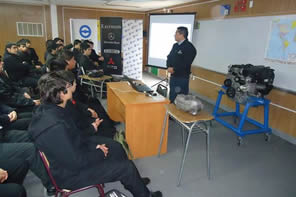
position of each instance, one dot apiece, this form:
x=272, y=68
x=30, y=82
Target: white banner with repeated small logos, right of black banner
x=132, y=48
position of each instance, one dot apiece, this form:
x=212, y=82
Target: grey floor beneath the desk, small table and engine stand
x=256, y=168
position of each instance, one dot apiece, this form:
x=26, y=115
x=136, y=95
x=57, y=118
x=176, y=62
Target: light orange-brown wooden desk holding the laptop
x=143, y=117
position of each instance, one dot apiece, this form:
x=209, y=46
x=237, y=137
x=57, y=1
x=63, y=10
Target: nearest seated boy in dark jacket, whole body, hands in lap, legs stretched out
x=77, y=163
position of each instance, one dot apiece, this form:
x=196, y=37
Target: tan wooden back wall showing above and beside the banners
x=66, y=13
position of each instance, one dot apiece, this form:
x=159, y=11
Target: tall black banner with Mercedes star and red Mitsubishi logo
x=111, y=33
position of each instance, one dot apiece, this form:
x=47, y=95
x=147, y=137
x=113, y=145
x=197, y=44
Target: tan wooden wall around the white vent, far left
x=12, y=13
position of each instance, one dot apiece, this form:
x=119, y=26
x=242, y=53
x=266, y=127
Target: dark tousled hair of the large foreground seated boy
x=50, y=86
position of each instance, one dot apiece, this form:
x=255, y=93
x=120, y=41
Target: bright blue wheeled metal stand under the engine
x=252, y=102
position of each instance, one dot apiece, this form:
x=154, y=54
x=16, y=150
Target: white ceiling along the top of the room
x=135, y=5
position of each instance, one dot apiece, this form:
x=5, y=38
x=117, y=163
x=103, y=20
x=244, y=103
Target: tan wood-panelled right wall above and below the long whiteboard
x=282, y=112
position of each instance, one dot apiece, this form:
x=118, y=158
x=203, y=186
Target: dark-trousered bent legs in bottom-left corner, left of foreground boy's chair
x=17, y=154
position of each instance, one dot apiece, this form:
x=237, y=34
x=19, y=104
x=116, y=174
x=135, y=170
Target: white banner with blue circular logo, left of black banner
x=85, y=29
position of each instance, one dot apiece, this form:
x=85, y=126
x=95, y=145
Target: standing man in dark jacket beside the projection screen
x=179, y=63
